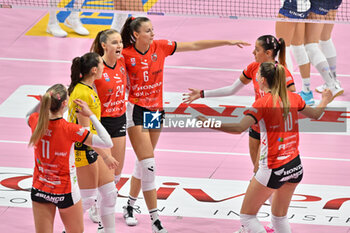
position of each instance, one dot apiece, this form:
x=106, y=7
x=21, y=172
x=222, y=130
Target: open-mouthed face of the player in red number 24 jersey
x=113, y=46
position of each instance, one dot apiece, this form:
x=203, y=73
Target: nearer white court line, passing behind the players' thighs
x=201, y=152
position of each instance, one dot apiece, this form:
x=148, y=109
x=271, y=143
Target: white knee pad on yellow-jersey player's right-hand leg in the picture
x=108, y=194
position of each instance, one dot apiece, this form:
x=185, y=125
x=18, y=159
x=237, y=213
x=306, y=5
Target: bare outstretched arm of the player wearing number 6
x=206, y=44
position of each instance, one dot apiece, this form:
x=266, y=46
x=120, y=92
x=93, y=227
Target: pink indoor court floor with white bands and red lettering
x=201, y=176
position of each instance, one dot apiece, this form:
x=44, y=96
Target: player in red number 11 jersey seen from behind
x=54, y=179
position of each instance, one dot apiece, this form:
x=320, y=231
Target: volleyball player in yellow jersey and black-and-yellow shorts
x=93, y=174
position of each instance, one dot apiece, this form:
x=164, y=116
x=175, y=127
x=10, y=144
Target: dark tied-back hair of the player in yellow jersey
x=81, y=66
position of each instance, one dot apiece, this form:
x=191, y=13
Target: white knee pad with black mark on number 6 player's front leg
x=148, y=174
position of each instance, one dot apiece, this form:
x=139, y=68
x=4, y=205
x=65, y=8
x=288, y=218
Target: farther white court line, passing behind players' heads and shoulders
x=169, y=67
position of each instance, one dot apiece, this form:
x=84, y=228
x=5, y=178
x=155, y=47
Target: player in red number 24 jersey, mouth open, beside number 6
x=111, y=90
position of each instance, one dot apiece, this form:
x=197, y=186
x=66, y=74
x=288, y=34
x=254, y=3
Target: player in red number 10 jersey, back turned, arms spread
x=280, y=169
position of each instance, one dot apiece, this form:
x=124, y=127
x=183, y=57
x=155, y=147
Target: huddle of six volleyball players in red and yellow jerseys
x=79, y=161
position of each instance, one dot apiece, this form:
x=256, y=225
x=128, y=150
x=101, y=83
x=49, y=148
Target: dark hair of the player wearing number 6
x=131, y=25
